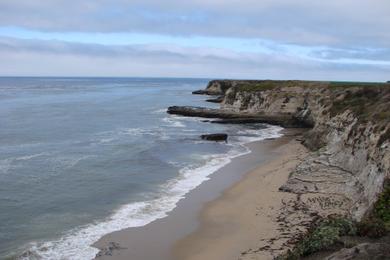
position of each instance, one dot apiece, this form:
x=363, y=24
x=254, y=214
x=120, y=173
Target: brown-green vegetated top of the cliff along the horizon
x=367, y=100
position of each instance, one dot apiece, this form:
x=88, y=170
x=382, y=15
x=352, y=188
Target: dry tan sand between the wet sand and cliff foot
x=245, y=222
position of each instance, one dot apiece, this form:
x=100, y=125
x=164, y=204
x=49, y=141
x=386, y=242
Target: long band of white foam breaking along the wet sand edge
x=76, y=244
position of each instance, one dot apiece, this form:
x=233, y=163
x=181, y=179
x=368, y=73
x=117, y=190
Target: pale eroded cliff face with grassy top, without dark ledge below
x=349, y=136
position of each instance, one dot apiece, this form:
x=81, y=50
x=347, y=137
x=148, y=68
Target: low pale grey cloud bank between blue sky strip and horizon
x=56, y=58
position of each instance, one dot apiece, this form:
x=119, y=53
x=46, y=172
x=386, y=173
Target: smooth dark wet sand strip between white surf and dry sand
x=157, y=239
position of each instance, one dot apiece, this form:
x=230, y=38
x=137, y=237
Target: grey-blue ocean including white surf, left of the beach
x=83, y=157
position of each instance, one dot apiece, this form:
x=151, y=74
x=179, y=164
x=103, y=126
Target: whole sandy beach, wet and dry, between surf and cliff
x=221, y=218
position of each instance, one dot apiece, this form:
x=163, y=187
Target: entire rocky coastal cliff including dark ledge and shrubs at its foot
x=340, y=186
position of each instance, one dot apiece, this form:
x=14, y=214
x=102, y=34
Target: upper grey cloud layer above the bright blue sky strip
x=345, y=23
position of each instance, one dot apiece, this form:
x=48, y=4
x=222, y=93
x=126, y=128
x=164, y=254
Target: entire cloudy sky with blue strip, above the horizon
x=273, y=39
